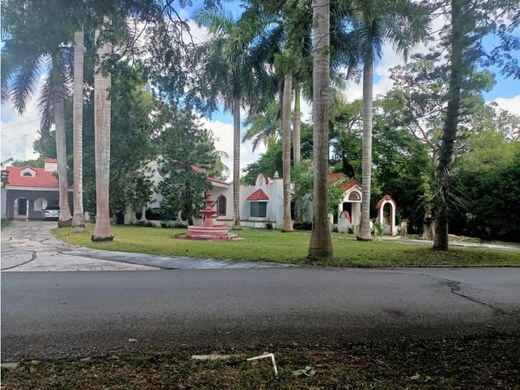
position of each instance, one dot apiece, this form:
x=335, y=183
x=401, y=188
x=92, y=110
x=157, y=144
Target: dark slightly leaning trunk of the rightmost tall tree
x=450, y=127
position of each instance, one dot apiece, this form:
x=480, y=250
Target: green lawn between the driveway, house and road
x=280, y=247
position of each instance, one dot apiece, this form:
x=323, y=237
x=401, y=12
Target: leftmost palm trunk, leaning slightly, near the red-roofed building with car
x=65, y=218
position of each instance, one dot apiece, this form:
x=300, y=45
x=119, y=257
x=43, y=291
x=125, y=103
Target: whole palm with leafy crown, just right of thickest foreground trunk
x=401, y=22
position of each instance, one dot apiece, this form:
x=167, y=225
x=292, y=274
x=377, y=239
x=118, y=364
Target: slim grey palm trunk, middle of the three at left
x=78, y=220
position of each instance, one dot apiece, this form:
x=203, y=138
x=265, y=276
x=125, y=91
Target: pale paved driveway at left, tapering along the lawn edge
x=30, y=246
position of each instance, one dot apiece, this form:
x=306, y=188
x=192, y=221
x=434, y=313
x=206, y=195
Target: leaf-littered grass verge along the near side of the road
x=476, y=363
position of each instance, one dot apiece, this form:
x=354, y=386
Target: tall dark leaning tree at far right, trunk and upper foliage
x=470, y=21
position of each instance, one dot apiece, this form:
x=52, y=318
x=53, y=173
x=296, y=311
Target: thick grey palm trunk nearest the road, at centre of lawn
x=320, y=246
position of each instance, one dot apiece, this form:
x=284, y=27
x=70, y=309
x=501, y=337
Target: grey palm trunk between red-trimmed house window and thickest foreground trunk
x=286, y=152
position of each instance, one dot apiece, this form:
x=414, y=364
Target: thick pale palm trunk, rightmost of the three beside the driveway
x=102, y=110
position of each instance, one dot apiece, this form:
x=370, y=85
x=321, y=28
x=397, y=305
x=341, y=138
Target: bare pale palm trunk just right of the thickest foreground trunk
x=364, y=228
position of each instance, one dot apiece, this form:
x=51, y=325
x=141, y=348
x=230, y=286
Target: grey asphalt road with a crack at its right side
x=52, y=314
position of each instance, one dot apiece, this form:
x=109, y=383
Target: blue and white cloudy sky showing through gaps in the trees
x=18, y=132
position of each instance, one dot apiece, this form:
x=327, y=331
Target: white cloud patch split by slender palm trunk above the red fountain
x=223, y=133
